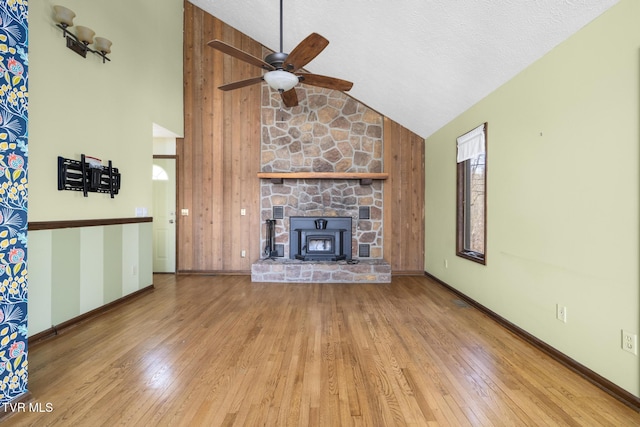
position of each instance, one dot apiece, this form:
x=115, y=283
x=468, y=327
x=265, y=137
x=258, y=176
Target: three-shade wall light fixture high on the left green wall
x=80, y=41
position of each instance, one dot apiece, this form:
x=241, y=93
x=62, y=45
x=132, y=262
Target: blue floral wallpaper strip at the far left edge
x=13, y=198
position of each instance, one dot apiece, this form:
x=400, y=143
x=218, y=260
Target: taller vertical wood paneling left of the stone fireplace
x=220, y=154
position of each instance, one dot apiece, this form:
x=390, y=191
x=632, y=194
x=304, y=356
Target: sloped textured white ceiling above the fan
x=419, y=62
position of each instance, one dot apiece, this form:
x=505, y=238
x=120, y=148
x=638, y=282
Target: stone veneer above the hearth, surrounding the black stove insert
x=327, y=132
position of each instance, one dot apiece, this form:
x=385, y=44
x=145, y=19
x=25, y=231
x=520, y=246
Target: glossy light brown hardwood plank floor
x=222, y=351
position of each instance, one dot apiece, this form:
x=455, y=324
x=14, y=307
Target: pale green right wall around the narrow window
x=563, y=197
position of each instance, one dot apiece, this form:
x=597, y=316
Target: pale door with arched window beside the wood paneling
x=164, y=215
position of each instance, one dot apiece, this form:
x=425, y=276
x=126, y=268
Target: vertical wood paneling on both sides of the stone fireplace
x=220, y=155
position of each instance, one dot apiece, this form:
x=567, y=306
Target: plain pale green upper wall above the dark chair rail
x=82, y=106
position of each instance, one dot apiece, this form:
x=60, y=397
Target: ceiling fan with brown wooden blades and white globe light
x=284, y=70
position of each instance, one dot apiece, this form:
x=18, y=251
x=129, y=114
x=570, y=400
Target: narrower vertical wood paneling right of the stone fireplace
x=403, y=199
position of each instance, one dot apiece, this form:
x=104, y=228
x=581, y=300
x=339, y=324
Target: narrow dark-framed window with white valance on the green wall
x=471, y=230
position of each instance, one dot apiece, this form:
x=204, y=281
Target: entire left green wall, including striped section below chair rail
x=82, y=106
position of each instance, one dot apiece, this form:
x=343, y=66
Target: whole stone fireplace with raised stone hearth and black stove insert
x=328, y=132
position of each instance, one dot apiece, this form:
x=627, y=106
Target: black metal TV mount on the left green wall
x=88, y=176
